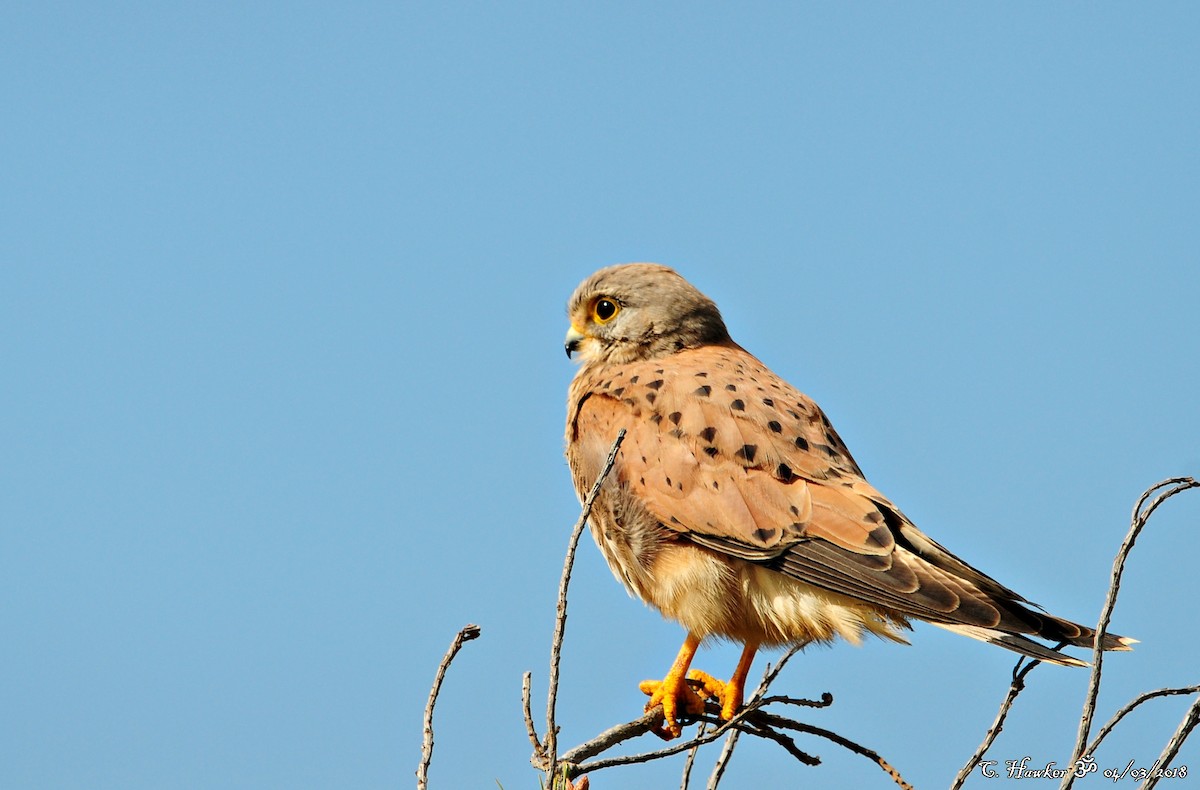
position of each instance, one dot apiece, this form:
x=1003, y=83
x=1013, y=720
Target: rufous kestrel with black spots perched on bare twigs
x=735, y=508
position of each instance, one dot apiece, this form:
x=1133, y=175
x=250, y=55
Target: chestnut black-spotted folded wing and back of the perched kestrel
x=729, y=456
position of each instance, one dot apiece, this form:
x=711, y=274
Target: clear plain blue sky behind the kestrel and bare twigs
x=281, y=316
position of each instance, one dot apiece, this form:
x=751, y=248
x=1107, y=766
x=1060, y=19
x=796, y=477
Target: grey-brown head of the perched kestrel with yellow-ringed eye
x=640, y=312
